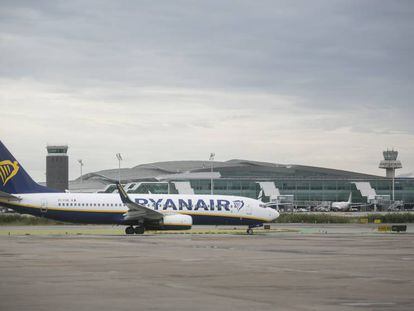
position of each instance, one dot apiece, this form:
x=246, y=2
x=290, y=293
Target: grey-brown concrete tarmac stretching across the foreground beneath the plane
x=291, y=267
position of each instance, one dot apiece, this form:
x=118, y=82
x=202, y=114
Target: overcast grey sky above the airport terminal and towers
x=323, y=83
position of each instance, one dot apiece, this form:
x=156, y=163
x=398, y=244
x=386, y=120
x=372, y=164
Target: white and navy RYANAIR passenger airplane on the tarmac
x=139, y=212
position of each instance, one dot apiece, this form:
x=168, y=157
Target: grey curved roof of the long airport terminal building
x=243, y=169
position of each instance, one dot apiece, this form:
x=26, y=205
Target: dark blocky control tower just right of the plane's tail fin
x=57, y=167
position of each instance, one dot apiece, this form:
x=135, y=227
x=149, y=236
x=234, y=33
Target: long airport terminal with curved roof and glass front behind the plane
x=303, y=185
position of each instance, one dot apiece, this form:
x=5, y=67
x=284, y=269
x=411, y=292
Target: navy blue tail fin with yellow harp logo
x=13, y=177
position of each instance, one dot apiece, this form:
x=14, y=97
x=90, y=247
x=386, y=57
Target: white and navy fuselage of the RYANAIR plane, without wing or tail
x=108, y=208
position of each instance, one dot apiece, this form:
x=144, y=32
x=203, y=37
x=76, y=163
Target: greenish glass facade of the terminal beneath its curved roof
x=310, y=189
